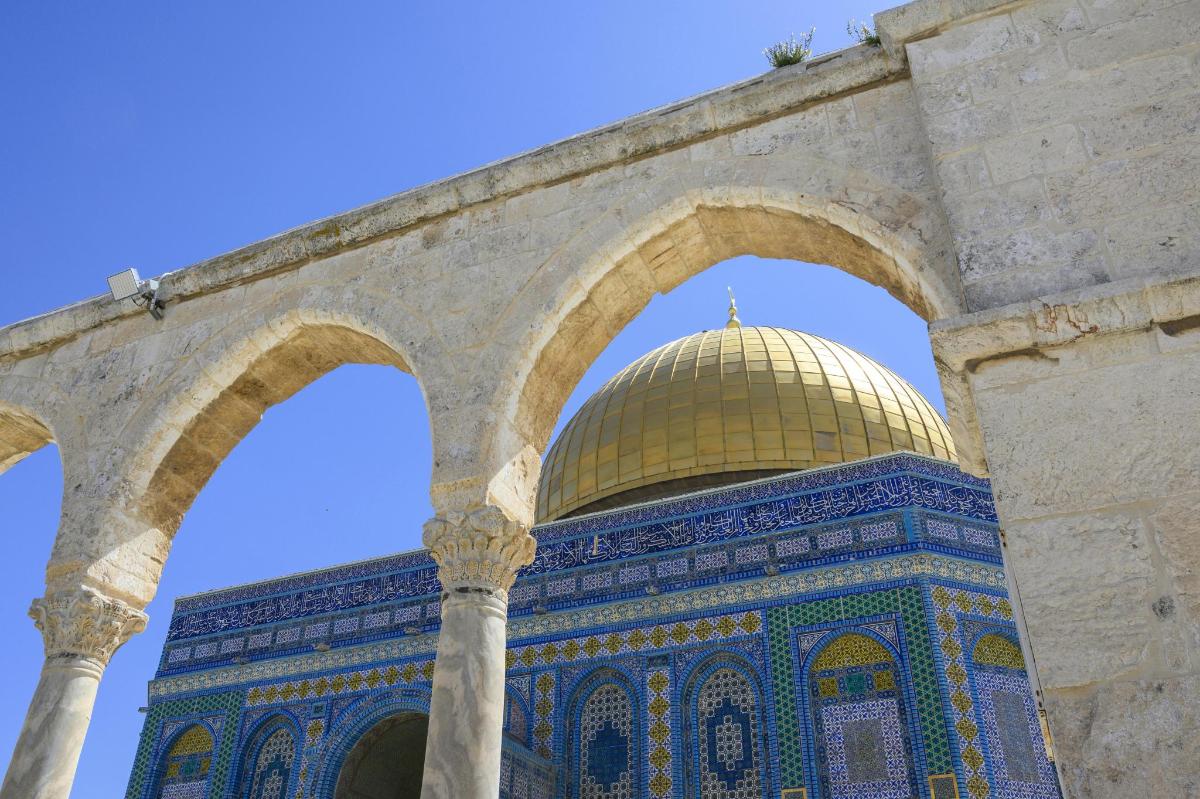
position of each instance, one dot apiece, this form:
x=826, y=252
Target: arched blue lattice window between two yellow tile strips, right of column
x=604, y=758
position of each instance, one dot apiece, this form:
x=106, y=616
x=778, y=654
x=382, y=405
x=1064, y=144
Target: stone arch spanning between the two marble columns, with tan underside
x=182, y=434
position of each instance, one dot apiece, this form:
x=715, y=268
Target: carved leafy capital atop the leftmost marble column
x=86, y=624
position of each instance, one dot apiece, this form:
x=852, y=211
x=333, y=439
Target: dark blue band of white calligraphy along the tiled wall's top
x=809, y=498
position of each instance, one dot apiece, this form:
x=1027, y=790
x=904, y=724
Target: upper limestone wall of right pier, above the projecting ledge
x=1065, y=135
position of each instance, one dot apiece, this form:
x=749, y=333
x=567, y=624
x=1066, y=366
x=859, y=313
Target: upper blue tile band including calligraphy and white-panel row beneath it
x=799, y=522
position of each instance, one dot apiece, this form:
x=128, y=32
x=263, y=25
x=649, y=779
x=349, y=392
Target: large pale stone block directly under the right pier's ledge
x=1120, y=449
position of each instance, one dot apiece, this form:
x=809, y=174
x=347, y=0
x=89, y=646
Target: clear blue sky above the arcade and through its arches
x=159, y=135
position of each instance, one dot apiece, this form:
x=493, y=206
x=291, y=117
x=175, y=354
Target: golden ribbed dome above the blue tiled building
x=731, y=405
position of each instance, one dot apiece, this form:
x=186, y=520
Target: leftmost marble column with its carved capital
x=81, y=630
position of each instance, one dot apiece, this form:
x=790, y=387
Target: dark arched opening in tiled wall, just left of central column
x=387, y=762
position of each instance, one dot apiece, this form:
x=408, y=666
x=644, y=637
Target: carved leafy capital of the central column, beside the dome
x=481, y=548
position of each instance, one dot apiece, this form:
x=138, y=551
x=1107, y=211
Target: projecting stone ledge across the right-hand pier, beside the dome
x=1169, y=303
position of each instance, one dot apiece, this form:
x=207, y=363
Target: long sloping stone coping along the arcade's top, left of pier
x=668, y=128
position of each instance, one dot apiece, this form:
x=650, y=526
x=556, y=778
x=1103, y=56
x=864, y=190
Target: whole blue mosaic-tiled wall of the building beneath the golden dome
x=681, y=657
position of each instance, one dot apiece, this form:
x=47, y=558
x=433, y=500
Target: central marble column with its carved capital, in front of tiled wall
x=478, y=554
